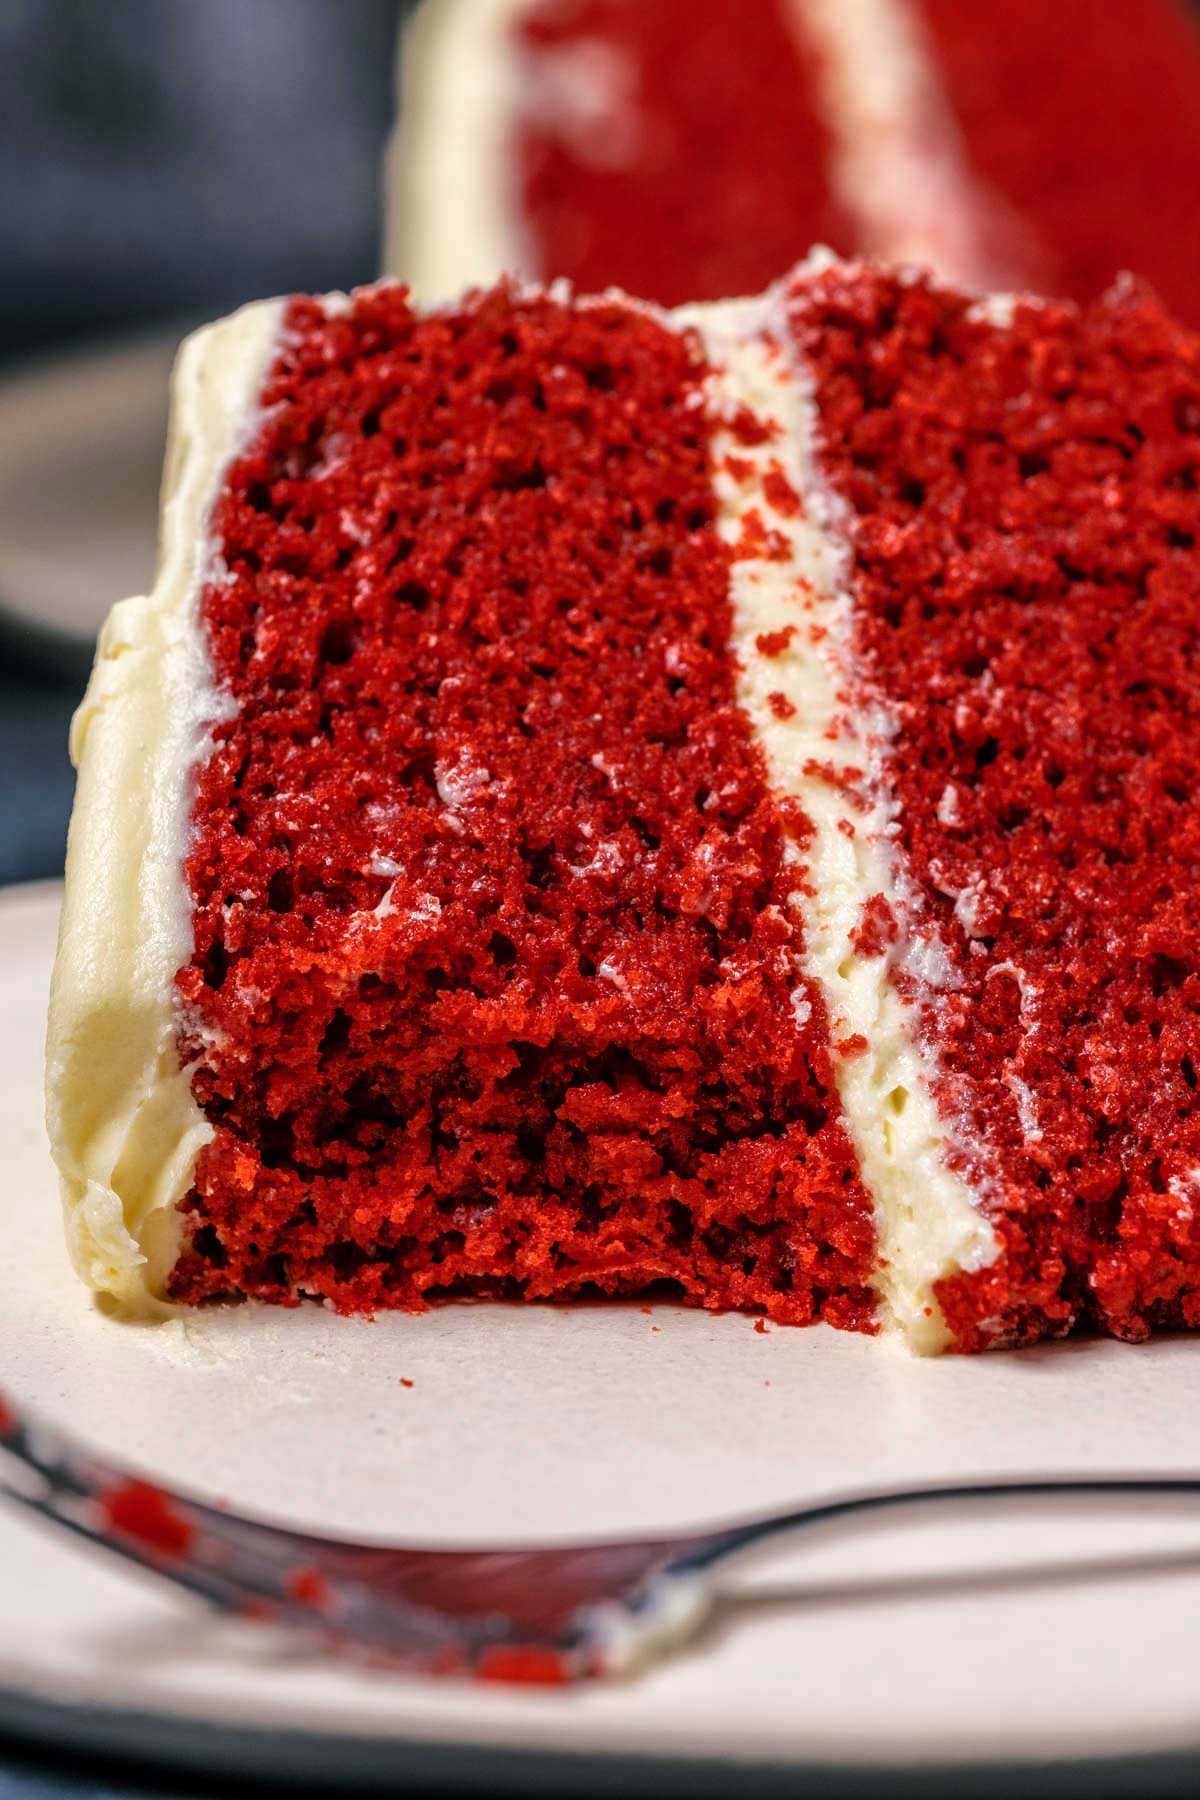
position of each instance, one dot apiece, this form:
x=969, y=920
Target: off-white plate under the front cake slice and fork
x=929, y=1642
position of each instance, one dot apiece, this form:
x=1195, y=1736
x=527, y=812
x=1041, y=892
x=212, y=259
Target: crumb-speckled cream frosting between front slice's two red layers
x=927, y=1218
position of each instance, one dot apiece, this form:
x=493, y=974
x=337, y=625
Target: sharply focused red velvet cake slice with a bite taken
x=604, y=798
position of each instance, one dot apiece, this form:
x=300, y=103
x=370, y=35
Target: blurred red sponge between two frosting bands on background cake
x=712, y=172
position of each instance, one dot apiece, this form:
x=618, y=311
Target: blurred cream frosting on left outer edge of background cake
x=452, y=217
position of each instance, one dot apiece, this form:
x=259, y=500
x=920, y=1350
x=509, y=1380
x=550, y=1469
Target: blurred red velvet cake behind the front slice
x=692, y=148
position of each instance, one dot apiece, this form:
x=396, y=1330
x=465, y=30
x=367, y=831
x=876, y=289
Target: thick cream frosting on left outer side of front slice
x=123, y=1124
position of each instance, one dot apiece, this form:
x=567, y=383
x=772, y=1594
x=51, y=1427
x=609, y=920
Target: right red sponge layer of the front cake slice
x=1025, y=510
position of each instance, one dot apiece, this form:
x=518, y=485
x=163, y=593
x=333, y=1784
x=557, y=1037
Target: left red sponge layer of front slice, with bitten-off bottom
x=496, y=962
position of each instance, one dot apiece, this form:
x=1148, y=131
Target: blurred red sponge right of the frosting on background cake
x=1073, y=114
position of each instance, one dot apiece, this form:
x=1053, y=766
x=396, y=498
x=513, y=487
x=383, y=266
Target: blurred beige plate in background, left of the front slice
x=82, y=444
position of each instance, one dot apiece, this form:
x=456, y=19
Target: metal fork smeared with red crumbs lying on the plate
x=544, y=1615
